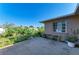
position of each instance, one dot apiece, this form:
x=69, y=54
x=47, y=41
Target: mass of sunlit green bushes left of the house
x=14, y=34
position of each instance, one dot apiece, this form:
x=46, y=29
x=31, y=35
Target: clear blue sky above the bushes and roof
x=32, y=13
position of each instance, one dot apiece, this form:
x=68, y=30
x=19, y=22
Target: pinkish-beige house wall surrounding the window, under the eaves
x=72, y=24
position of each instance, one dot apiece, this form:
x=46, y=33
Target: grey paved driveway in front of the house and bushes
x=39, y=46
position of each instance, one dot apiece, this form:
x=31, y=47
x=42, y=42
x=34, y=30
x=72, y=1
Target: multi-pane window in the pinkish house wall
x=60, y=26
